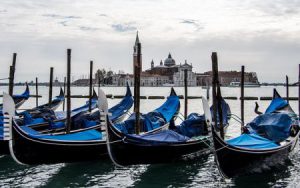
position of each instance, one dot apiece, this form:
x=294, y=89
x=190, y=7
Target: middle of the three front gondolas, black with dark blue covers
x=188, y=140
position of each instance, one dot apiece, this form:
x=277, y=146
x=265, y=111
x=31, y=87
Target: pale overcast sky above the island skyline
x=262, y=35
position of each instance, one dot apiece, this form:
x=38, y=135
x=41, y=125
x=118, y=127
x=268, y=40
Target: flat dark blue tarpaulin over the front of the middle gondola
x=163, y=136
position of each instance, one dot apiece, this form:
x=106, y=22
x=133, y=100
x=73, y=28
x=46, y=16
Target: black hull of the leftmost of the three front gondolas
x=28, y=150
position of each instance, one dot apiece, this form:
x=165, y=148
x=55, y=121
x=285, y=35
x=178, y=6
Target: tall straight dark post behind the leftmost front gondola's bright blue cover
x=68, y=90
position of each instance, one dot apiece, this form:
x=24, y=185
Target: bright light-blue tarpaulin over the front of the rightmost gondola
x=252, y=141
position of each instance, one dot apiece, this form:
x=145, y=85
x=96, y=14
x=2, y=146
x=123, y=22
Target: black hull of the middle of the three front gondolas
x=128, y=151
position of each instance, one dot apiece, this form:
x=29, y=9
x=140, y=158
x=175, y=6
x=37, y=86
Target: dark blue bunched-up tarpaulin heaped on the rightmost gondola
x=275, y=126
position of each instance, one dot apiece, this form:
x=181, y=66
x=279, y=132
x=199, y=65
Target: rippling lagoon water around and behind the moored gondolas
x=198, y=173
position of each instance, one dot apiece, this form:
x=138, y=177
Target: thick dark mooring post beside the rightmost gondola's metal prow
x=216, y=101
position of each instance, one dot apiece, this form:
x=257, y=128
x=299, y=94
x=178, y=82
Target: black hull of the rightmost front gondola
x=234, y=161
